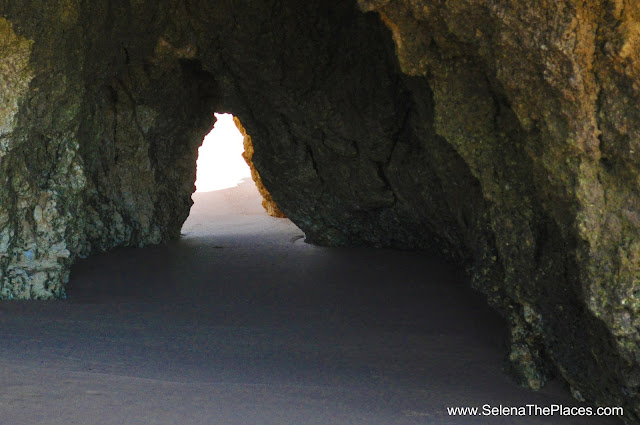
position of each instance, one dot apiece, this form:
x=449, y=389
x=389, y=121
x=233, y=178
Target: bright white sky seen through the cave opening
x=220, y=163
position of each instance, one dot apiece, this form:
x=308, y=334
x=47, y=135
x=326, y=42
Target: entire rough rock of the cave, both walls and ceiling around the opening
x=506, y=137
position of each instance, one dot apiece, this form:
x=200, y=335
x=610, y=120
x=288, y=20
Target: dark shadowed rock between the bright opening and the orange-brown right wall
x=326, y=110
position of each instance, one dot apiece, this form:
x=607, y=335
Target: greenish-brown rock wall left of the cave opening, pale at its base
x=100, y=149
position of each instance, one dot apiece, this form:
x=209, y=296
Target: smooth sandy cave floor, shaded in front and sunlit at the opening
x=241, y=322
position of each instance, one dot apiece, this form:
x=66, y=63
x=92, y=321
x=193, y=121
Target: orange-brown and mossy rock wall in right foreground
x=540, y=99
